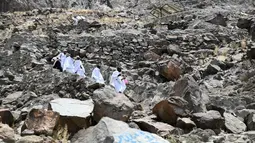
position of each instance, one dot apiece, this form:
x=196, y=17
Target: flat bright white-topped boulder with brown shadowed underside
x=75, y=113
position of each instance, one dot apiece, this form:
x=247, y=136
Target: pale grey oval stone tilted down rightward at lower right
x=233, y=124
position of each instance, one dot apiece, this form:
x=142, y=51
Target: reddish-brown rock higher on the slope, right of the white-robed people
x=170, y=71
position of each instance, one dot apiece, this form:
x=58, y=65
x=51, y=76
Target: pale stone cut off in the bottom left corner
x=7, y=133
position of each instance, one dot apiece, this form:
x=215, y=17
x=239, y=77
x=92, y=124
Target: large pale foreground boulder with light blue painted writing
x=111, y=131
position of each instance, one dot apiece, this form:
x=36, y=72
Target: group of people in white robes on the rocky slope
x=65, y=63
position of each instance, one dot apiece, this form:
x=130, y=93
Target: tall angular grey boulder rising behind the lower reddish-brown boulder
x=189, y=89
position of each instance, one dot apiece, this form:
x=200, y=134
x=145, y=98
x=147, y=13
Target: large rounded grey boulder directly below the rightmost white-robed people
x=111, y=104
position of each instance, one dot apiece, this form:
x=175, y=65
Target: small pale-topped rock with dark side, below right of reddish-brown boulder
x=185, y=123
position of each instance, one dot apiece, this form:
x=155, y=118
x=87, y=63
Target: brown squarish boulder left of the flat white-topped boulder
x=41, y=121
